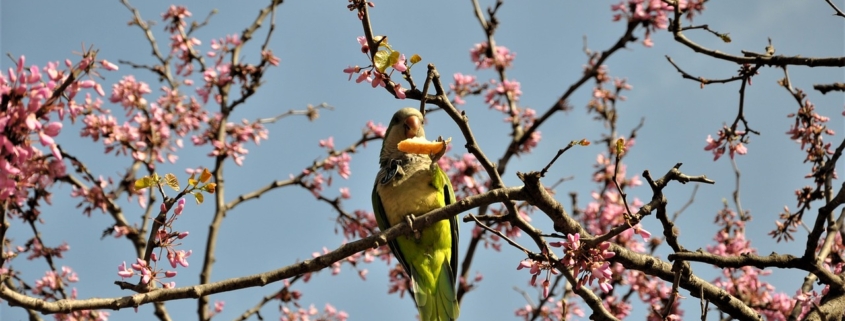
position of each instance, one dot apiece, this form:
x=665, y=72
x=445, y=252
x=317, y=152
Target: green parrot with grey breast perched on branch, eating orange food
x=413, y=184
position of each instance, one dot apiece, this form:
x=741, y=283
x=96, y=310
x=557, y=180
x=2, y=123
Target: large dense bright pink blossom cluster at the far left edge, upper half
x=33, y=99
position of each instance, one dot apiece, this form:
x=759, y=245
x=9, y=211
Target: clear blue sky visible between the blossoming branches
x=316, y=40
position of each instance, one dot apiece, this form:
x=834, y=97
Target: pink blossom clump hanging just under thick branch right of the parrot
x=587, y=263
